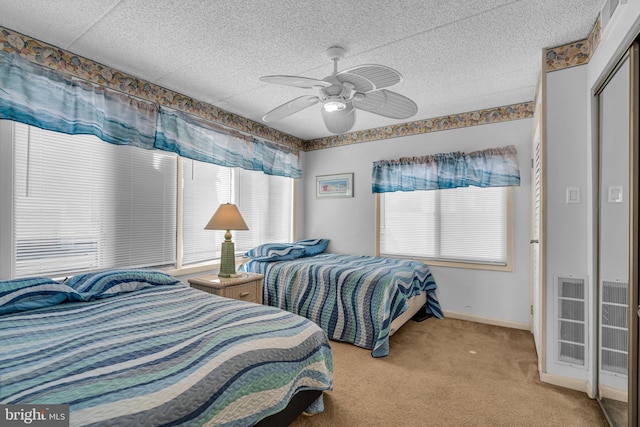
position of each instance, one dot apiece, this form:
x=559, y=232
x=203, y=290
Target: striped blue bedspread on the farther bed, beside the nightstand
x=352, y=298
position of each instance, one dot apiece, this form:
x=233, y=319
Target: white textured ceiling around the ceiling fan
x=455, y=55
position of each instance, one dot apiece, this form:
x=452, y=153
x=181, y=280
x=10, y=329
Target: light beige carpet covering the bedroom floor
x=449, y=373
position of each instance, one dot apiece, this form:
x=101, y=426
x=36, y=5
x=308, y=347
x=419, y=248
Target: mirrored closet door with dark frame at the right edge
x=617, y=249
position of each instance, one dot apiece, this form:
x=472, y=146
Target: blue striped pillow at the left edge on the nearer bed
x=33, y=292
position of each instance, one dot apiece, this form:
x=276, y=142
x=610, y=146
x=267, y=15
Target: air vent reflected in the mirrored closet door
x=614, y=329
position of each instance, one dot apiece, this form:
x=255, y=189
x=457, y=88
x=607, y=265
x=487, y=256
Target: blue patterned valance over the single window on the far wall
x=493, y=167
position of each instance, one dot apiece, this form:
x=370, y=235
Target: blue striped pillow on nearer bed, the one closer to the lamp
x=104, y=284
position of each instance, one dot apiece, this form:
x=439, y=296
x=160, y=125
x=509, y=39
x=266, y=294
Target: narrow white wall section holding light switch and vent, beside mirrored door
x=568, y=230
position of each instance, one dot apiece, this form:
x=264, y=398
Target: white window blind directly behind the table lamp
x=264, y=201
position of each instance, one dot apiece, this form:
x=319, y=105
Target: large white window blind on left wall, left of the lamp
x=83, y=204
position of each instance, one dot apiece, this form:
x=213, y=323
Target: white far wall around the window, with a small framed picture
x=350, y=223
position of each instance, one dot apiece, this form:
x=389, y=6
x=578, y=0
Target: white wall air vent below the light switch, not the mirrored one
x=571, y=320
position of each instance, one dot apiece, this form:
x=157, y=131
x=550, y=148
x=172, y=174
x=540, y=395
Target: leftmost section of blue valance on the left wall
x=49, y=100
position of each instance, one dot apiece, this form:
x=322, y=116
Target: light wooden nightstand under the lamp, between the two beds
x=248, y=287
